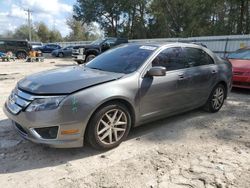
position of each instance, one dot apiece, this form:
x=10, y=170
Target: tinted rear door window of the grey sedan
x=197, y=57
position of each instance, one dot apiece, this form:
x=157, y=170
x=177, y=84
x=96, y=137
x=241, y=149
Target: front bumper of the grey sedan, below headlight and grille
x=28, y=125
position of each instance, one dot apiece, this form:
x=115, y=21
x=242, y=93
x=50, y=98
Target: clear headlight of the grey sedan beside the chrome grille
x=45, y=104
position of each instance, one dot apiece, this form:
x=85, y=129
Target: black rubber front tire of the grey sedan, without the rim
x=91, y=132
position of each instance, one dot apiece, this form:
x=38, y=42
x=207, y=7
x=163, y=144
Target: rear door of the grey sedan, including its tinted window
x=202, y=72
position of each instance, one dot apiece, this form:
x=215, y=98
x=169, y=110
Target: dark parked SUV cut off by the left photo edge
x=20, y=48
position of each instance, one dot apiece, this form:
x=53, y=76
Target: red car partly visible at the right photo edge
x=241, y=67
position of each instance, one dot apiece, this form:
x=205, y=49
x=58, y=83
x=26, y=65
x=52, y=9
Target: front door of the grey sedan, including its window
x=165, y=94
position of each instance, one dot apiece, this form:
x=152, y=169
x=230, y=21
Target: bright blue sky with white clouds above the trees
x=52, y=12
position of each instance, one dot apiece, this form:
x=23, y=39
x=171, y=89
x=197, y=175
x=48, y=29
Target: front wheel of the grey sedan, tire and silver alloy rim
x=109, y=126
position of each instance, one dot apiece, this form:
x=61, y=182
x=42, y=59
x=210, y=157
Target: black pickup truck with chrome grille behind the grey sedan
x=85, y=53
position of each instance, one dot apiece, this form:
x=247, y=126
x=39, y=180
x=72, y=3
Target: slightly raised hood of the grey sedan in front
x=65, y=80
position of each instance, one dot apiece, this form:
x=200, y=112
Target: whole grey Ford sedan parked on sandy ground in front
x=124, y=87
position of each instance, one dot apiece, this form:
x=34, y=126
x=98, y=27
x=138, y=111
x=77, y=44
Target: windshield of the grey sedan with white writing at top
x=122, y=59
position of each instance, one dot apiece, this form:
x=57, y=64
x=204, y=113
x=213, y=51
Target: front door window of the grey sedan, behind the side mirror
x=171, y=58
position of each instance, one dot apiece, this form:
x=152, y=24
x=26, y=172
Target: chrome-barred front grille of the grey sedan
x=18, y=100
